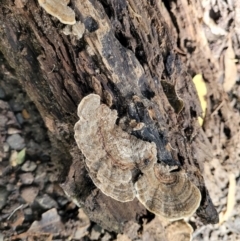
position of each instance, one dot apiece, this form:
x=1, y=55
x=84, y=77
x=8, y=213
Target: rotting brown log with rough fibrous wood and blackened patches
x=126, y=55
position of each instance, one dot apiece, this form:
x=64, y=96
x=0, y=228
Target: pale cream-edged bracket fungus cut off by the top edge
x=59, y=9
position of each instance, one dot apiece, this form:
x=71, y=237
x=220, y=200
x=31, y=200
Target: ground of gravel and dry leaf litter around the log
x=30, y=200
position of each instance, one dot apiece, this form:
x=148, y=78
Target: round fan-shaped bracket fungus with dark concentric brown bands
x=170, y=195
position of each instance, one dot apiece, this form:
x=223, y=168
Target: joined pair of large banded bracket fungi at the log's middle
x=124, y=167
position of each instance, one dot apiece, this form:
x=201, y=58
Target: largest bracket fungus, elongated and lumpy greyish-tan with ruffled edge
x=111, y=154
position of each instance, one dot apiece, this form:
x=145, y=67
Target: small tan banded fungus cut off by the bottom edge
x=180, y=231
